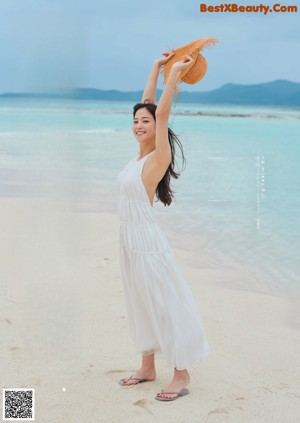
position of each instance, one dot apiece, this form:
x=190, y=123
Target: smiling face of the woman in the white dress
x=144, y=126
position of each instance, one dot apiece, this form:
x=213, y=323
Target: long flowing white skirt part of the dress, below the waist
x=162, y=313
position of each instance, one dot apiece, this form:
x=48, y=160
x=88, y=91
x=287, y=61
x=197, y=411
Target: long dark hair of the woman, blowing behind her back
x=164, y=193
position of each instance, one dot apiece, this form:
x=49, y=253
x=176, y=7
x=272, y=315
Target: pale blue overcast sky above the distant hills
x=61, y=44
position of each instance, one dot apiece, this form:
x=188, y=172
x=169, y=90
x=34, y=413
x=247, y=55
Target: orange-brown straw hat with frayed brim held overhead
x=198, y=69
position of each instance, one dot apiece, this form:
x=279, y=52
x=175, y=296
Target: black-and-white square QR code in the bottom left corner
x=18, y=404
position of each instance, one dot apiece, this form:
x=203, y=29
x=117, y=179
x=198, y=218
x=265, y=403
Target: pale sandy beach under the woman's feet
x=64, y=330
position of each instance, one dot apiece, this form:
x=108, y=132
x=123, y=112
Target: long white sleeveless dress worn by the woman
x=162, y=313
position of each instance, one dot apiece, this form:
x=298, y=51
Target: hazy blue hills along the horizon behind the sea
x=275, y=93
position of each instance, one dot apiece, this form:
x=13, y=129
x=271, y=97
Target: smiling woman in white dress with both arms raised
x=163, y=317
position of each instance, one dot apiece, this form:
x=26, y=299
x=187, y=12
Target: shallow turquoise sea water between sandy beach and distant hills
x=237, y=202
